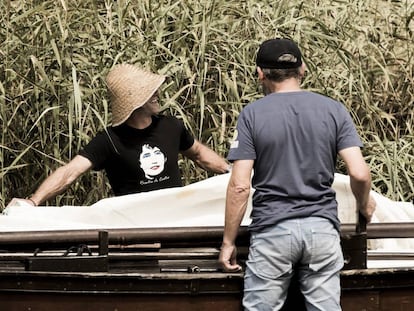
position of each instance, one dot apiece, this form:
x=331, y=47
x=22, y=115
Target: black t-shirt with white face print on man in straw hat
x=140, y=160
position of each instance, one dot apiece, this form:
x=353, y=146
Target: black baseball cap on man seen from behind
x=279, y=54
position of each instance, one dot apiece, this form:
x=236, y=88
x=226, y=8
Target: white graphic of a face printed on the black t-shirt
x=152, y=161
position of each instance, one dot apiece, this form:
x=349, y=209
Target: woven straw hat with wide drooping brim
x=130, y=88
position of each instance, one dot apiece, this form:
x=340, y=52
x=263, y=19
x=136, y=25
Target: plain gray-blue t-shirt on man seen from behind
x=294, y=139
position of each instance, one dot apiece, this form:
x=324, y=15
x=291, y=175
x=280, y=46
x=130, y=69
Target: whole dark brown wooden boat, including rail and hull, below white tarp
x=174, y=269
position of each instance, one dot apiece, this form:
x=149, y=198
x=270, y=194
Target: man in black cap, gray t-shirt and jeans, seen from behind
x=291, y=138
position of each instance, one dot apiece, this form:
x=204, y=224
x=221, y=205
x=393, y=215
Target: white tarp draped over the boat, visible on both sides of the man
x=198, y=204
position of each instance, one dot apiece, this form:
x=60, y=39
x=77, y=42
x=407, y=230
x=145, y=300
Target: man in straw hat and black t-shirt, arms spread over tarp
x=139, y=152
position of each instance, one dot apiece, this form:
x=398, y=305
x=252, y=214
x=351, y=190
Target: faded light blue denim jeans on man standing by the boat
x=312, y=246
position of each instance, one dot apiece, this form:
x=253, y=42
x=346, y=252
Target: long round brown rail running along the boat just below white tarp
x=174, y=235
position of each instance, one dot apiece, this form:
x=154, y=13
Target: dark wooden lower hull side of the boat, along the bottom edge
x=366, y=289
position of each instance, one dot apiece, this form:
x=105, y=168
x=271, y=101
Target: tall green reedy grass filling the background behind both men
x=55, y=54
